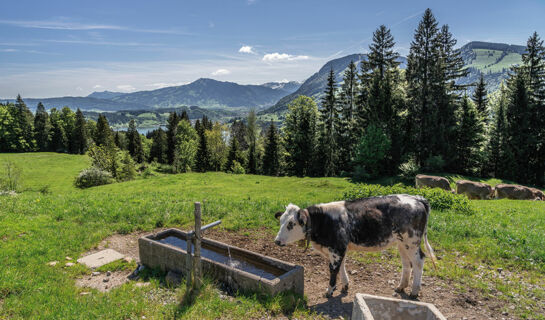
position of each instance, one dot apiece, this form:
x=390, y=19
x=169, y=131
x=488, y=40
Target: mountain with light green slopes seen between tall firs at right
x=493, y=60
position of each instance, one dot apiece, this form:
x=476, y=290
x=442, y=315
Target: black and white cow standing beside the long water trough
x=367, y=224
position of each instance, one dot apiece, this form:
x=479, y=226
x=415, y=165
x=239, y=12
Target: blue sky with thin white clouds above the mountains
x=58, y=48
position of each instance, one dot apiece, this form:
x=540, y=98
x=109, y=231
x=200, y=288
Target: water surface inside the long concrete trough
x=219, y=255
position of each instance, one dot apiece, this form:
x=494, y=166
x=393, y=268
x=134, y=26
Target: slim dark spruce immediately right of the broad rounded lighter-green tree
x=329, y=117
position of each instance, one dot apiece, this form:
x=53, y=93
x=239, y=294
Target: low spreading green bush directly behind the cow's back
x=439, y=199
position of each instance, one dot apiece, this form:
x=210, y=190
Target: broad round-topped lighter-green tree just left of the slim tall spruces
x=300, y=137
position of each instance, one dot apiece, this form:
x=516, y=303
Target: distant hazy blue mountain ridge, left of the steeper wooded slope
x=207, y=93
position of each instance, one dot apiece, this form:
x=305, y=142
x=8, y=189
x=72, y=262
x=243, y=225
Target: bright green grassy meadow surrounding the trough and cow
x=51, y=219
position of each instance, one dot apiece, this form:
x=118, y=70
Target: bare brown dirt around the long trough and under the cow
x=372, y=278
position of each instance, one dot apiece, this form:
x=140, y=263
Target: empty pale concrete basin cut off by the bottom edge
x=369, y=307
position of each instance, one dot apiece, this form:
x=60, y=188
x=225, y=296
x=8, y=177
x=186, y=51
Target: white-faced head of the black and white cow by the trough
x=292, y=225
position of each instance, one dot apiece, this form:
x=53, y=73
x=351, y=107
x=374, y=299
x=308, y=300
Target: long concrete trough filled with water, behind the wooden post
x=240, y=269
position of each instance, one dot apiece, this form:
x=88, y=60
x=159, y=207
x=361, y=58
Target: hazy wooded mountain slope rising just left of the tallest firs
x=315, y=85
